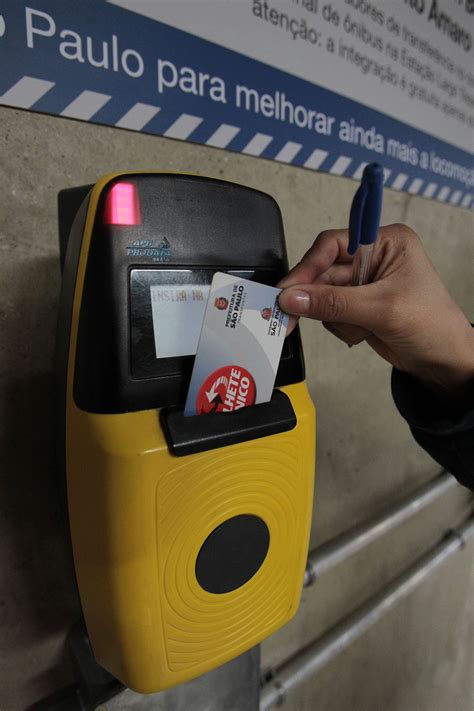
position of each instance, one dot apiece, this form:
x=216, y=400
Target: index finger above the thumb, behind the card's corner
x=329, y=247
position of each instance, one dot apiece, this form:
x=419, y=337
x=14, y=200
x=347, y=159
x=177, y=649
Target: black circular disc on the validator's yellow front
x=232, y=553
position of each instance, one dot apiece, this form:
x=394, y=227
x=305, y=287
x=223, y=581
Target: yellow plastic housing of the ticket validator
x=139, y=516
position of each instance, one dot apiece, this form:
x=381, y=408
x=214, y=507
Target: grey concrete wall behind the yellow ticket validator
x=420, y=657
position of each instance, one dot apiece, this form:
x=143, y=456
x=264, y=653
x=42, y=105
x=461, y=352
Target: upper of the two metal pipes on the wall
x=335, y=551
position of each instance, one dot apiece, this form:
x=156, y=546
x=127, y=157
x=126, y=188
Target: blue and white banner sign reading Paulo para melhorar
x=328, y=85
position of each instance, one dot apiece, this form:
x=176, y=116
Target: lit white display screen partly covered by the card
x=178, y=311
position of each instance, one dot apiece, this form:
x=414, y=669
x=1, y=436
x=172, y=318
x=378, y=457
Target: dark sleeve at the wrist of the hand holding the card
x=444, y=428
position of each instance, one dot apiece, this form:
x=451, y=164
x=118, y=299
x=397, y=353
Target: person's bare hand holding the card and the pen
x=406, y=314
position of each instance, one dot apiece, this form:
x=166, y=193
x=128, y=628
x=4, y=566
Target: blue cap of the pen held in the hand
x=364, y=217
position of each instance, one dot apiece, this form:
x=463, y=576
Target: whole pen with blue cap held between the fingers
x=364, y=221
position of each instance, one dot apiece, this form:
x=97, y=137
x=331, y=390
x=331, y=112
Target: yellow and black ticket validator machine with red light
x=189, y=534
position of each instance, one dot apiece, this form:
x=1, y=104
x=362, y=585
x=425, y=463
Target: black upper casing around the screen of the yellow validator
x=190, y=227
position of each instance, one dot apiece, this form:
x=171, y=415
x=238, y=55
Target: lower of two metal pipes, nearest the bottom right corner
x=307, y=662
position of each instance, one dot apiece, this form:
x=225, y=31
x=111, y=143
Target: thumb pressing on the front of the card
x=356, y=305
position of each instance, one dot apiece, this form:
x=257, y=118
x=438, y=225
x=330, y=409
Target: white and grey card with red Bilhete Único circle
x=239, y=347
